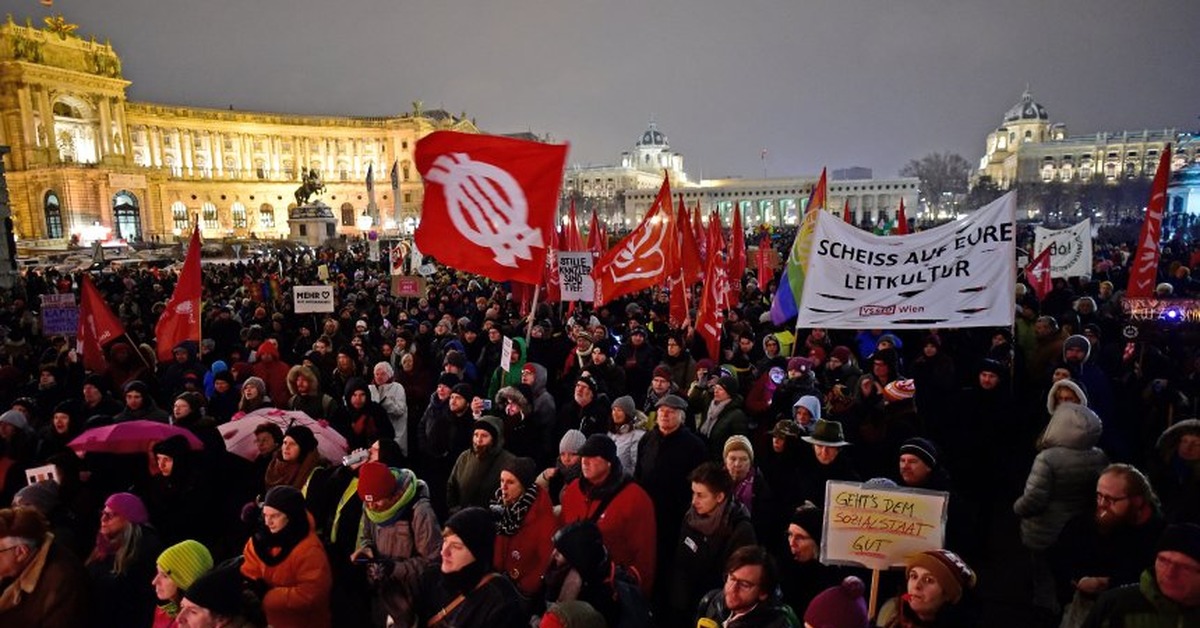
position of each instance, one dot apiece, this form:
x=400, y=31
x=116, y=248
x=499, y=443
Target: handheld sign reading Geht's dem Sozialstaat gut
x=879, y=528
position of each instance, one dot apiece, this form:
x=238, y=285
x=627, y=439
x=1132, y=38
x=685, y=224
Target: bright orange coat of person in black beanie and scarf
x=298, y=588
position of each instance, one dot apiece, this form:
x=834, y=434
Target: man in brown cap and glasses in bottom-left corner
x=46, y=585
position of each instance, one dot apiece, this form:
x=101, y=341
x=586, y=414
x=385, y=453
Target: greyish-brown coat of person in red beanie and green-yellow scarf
x=413, y=542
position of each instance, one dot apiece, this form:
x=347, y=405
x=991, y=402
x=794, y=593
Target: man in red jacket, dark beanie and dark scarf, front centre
x=605, y=494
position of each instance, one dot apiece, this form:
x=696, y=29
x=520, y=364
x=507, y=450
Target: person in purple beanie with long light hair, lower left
x=123, y=563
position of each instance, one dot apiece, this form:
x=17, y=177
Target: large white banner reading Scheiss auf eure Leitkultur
x=962, y=274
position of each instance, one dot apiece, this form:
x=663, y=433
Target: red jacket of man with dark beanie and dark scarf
x=627, y=525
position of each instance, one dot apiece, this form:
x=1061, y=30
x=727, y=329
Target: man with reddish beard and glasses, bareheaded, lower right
x=1112, y=546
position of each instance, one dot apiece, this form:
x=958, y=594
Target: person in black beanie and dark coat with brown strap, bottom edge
x=465, y=590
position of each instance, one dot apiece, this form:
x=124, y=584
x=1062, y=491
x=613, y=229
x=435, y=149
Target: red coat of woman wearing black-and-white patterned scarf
x=525, y=557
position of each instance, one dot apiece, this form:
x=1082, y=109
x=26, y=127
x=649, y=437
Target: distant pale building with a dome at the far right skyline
x=1028, y=148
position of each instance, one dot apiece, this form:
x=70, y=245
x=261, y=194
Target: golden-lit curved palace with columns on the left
x=87, y=163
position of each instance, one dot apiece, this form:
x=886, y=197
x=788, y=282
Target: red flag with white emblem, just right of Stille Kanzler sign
x=643, y=259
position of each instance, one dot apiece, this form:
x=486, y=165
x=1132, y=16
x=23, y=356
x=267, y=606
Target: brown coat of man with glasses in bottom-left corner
x=52, y=593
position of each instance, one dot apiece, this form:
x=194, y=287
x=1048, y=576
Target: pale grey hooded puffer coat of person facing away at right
x=1063, y=482
